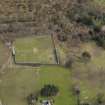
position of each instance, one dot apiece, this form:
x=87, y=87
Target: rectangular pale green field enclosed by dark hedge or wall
x=36, y=49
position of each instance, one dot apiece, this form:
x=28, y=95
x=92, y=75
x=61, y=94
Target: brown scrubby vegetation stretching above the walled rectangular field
x=37, y=17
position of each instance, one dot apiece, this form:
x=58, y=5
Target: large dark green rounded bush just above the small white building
x=49, y=90
